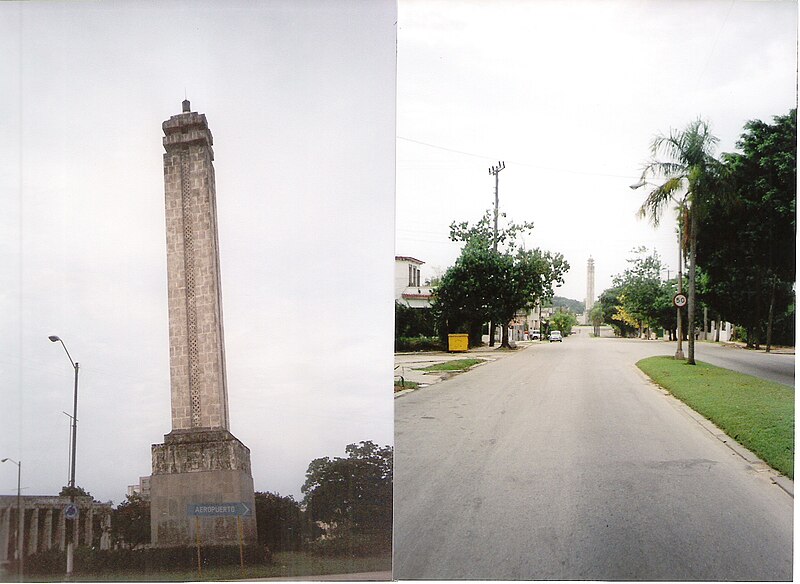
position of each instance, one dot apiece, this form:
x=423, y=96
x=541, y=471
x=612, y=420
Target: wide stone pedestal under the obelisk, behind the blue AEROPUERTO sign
x=201, y=467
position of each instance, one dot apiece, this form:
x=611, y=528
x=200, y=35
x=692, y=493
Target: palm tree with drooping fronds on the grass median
x=690, y=173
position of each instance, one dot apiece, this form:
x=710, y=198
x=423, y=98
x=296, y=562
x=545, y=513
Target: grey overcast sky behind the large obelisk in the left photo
x=300, y=98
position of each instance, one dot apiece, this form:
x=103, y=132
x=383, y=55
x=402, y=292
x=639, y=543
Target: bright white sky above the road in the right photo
x=570, y=95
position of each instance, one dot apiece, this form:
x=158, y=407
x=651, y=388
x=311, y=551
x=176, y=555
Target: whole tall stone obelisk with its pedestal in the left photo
x=201, y=473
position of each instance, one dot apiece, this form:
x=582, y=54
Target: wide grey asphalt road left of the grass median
x=563, y=462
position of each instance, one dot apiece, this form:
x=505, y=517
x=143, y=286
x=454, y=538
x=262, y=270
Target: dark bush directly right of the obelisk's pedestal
x=278, y=522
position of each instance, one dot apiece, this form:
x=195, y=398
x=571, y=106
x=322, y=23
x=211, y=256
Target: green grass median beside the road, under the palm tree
x=756, y=413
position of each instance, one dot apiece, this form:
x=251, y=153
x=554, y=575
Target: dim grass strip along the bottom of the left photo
x=293, y=564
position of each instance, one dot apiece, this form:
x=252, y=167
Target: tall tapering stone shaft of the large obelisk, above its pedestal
x=197, y=350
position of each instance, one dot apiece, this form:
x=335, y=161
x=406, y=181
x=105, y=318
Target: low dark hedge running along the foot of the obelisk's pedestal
x=92, y=561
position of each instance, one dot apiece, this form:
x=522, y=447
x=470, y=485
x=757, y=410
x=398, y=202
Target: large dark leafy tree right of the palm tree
x=747, y=244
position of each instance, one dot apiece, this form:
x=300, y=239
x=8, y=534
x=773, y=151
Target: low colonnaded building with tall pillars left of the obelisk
x=45, y=524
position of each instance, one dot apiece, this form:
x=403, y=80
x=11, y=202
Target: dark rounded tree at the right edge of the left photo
x=352, y=495
